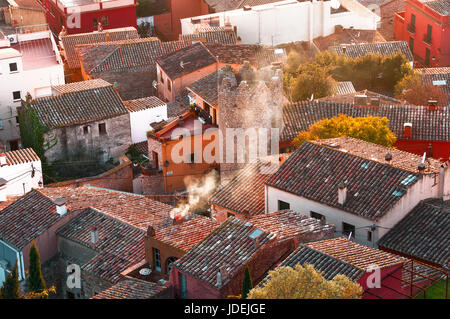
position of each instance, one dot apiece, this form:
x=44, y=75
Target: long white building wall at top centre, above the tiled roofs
x=290, y=21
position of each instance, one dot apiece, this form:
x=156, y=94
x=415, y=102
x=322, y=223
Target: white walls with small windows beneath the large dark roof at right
x=427, y=187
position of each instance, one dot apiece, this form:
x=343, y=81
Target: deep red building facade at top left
x=85, y=18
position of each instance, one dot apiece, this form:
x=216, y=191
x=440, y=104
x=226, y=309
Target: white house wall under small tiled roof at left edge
x=19, y=177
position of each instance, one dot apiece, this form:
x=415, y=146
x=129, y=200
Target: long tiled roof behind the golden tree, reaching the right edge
x=427, y=125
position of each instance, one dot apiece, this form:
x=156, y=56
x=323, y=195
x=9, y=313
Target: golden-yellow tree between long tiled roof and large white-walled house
x=370, y=128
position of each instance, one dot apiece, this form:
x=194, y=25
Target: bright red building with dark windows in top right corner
x=426, y=27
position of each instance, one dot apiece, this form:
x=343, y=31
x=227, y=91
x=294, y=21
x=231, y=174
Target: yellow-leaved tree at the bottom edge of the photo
x=305, y=283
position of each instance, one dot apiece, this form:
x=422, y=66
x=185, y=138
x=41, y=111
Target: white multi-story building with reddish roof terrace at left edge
x=29, y=63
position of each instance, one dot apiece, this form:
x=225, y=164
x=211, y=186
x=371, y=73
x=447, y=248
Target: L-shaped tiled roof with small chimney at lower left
x=119, y=247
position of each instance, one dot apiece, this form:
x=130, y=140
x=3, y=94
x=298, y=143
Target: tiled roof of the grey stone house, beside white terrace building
x=79, y=105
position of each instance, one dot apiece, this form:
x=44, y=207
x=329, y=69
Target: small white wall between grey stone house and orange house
x=140, y=122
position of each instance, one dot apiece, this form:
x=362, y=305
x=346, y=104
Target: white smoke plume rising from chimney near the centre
x=199, y=190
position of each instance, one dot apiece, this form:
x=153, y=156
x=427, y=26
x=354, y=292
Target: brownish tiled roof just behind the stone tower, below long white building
x=259, y=56
